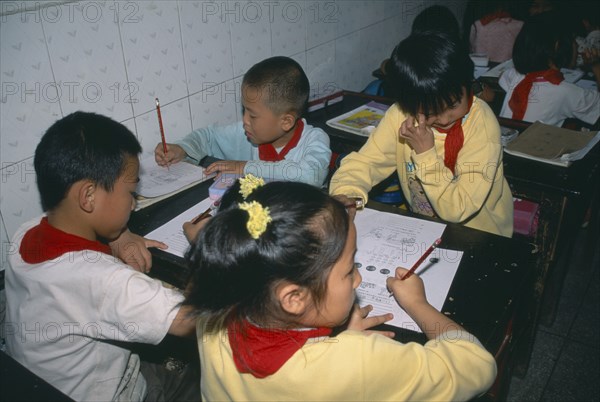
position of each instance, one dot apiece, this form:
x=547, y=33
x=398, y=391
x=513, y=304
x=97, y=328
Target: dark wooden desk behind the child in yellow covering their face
x=563, y=194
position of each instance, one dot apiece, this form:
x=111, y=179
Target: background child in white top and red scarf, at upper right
x=535, y=87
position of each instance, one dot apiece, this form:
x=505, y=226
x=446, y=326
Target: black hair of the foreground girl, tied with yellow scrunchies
x=235, y=274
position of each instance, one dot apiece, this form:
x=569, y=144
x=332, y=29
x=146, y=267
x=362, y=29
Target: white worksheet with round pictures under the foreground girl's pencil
x=386, y=241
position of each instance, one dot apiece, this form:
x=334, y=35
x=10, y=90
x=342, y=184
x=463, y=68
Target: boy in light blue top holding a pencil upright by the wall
x=272, y=140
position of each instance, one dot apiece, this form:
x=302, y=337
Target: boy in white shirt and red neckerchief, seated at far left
x=71, y=306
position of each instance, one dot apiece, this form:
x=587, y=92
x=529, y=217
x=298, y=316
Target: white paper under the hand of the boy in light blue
x=158, y=180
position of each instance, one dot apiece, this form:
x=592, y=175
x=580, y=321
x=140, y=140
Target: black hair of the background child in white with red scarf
x=544, y=38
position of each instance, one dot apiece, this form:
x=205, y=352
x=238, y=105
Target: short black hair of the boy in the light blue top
x=282, y=82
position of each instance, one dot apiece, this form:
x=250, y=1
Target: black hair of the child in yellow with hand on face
x=429, y=71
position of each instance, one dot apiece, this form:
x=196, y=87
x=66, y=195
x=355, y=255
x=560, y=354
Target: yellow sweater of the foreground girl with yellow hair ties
x=354, y=366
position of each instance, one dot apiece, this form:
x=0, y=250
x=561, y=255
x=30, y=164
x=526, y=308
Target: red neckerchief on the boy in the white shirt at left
x=44, y=242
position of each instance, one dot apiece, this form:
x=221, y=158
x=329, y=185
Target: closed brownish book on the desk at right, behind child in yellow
x=554, y=145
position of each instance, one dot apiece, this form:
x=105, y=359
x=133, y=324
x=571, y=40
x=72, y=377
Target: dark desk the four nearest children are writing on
x=485, y=297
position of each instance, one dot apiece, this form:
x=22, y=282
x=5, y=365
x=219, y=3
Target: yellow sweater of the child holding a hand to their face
x=479, y=196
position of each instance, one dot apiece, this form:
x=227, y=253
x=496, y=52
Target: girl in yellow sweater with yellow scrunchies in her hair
x=275, y=274
